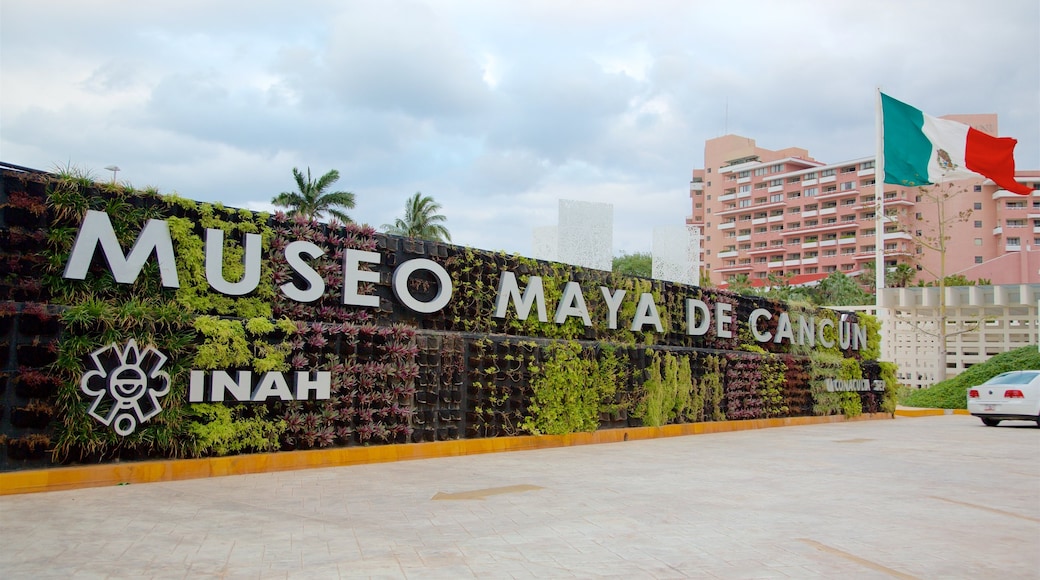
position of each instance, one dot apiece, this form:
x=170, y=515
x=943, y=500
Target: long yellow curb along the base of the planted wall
x=73, y=478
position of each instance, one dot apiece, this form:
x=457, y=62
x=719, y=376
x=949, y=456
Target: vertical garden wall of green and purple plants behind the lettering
x=398, y=377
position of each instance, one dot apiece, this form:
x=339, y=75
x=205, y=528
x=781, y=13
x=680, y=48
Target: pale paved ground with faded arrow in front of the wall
x=931, y=497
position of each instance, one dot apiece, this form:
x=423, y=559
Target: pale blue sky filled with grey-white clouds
x=499, y=110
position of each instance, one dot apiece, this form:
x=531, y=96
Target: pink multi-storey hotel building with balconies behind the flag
x=783, y=213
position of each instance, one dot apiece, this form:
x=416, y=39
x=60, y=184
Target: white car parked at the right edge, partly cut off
x=1009, y=397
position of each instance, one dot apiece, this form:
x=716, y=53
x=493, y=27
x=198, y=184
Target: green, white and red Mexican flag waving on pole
x=922, y=150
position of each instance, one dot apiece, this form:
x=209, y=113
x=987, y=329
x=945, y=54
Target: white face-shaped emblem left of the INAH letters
x=126, y=386
